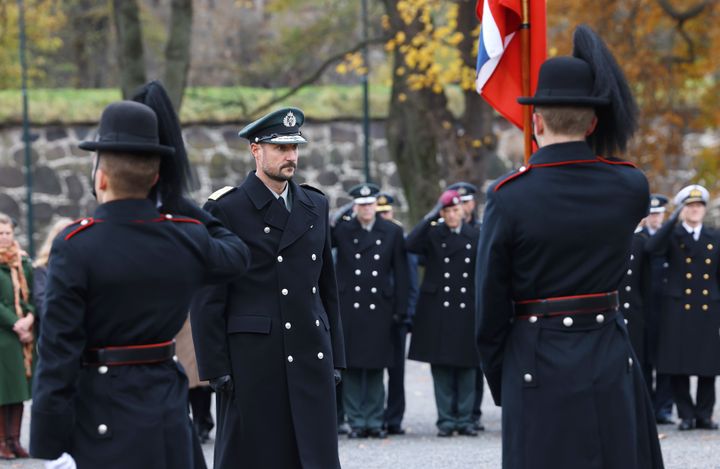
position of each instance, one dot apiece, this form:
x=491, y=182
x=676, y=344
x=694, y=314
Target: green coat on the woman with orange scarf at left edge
x=14, y=387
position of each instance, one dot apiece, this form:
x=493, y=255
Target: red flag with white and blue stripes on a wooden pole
x=499, y=66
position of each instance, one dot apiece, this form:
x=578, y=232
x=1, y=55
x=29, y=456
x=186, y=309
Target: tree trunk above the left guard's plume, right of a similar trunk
x=177, y=51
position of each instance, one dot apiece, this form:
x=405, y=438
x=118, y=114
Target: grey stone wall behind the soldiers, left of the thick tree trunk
x=333, y=162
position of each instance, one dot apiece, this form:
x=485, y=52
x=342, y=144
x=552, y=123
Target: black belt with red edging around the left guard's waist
x=130, y=354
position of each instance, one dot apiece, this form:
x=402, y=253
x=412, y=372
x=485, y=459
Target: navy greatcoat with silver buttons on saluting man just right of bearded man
x=374, y=282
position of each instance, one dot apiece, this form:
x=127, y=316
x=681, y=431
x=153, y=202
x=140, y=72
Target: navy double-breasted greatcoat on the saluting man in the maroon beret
x=444, y=324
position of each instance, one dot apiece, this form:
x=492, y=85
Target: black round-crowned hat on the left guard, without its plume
x=128, y=127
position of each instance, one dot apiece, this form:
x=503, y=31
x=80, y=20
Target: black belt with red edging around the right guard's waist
x=567, y=305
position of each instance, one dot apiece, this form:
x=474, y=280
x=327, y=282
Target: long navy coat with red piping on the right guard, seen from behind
x=573, y=396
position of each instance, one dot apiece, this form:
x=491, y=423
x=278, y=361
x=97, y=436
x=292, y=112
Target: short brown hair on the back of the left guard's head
x=130, y=175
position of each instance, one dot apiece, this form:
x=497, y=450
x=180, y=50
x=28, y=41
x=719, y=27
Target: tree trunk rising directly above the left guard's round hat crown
x=131, y=58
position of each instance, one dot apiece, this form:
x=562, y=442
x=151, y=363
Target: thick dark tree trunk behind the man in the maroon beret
x=433, y=148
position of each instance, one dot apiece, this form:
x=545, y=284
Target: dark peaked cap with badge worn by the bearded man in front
x=281, y=127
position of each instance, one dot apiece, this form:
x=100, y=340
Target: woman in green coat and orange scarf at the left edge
x=16, y=339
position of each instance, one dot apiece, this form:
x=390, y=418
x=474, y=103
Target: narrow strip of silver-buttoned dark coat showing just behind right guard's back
x=634, y=293
